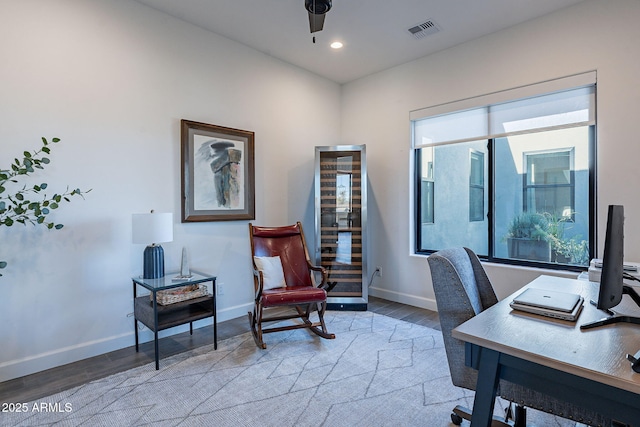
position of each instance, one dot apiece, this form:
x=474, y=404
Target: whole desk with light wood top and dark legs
x=587, y=368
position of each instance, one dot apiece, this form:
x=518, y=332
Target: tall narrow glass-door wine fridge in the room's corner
x=340, y=213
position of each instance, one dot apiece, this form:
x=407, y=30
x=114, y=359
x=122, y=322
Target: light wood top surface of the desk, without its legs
x=597, y=354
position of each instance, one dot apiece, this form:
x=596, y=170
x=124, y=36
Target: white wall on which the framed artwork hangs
x=112, y=79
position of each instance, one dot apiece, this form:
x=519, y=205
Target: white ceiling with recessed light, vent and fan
x=374, y=32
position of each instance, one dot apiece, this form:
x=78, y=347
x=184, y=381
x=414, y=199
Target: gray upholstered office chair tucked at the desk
x=463, y=290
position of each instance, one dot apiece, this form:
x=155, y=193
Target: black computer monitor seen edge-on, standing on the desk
x=612, y=286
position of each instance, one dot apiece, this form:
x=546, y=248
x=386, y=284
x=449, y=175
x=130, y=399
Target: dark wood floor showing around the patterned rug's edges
x=45, y=383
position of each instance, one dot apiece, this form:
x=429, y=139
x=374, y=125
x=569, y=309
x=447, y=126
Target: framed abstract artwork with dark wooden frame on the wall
x=218, y=174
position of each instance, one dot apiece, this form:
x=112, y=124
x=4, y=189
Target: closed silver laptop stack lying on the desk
x=559, y=305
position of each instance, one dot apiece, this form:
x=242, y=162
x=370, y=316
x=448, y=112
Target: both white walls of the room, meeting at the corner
x=113, y=78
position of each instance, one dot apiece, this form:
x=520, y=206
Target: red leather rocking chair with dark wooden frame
x=298, y=292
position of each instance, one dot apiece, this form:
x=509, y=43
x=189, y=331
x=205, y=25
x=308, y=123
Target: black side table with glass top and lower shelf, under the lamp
x=159, y=317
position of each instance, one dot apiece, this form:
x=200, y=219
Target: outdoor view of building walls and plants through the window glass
x=541, y=195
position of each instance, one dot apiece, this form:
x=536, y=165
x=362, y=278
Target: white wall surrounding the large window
x=593, y=35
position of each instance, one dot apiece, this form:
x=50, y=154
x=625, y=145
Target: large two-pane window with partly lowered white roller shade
x=523, y=169
